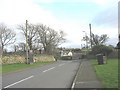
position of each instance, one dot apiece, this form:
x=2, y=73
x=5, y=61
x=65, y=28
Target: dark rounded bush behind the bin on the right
x=102, y=49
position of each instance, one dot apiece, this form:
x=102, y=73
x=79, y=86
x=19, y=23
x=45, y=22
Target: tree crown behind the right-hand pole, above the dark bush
x=96, y=39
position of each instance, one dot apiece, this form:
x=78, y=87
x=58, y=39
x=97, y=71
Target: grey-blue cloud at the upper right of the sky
x=107, y=18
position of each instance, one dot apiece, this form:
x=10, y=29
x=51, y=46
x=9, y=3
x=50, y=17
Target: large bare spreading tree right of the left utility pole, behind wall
x=49, y=38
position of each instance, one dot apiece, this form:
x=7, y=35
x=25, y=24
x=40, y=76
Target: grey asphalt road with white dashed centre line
x=57, y=75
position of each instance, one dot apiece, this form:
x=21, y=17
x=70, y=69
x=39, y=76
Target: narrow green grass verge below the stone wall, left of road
x=16, y=67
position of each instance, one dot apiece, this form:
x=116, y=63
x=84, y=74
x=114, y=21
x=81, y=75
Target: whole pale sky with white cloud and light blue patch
x=71, y=16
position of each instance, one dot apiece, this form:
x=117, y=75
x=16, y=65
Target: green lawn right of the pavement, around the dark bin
x=107, y=73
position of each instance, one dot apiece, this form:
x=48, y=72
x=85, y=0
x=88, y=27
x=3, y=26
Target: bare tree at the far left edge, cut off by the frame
x=7, y=36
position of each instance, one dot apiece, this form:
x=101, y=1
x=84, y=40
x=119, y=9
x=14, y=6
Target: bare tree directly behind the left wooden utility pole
x=32, y=34
